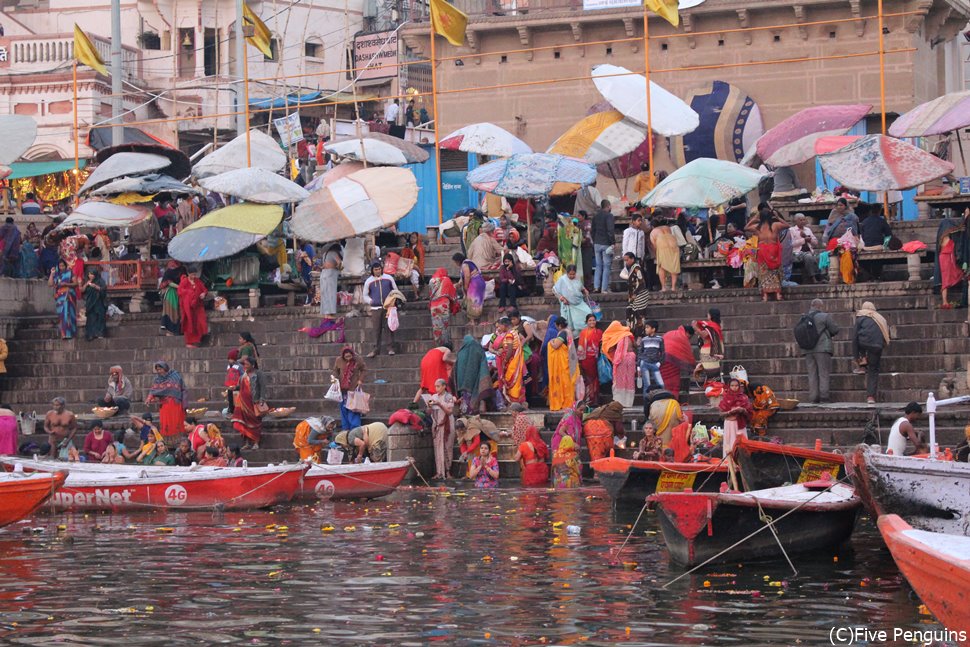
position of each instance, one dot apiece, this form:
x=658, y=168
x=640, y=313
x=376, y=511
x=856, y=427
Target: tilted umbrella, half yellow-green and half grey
x=225, y=232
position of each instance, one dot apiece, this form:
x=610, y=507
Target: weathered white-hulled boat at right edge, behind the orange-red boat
x=931, y=495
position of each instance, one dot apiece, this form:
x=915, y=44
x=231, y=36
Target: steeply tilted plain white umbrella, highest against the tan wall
x=628, y=93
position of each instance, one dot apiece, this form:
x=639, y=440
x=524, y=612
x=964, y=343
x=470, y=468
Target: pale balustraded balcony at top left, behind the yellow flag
x=45, y=53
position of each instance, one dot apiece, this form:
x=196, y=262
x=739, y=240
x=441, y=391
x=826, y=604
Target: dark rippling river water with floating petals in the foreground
x=421, y=567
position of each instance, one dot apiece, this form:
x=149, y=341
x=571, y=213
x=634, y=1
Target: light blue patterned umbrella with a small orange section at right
x=532, y=175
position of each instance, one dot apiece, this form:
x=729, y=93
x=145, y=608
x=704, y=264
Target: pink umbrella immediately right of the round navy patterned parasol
x=793, y=140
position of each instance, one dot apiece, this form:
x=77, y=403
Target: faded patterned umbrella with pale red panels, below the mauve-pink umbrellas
x=880, y=163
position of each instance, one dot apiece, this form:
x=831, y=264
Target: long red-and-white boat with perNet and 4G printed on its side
x=177, y=488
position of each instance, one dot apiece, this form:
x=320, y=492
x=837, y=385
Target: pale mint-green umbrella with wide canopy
x=704, y=183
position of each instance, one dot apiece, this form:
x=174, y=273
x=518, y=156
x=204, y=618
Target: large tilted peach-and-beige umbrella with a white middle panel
x=359, y=203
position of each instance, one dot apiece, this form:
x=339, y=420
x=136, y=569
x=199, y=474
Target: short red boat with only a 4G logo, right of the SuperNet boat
x=360, y=481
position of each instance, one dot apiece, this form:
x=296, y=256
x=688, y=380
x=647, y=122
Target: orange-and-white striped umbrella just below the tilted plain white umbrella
x=600, y=137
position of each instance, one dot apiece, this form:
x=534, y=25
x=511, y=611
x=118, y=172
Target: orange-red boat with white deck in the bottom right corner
x=937, y=566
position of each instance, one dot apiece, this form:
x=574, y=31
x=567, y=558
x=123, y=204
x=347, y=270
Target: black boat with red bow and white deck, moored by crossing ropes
x=698, y=526
